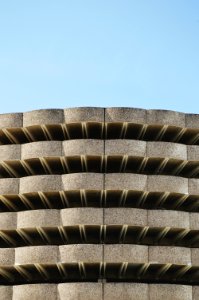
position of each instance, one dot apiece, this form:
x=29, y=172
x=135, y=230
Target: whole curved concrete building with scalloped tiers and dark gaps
x=99, y=204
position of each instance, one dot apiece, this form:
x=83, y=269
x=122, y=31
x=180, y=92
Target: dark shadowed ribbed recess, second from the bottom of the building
x=99, y=234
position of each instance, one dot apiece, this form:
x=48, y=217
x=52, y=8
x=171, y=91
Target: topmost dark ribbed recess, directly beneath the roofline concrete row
x=99, y=130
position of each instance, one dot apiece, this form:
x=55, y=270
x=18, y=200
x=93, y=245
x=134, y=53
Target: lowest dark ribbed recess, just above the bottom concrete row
x=116, y=272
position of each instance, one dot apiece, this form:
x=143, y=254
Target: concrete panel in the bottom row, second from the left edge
x=35, y=292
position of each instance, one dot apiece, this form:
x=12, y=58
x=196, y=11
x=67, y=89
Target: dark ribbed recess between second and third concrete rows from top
x=99, y=164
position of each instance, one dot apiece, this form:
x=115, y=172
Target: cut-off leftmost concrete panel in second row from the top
x=10, y=152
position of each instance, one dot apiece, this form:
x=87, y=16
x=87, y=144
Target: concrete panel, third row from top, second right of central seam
x=162, y=183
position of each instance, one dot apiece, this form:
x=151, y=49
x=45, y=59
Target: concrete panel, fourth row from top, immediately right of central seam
x=130, y=216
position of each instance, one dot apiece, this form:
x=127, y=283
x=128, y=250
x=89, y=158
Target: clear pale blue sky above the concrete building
x=135, y=53
